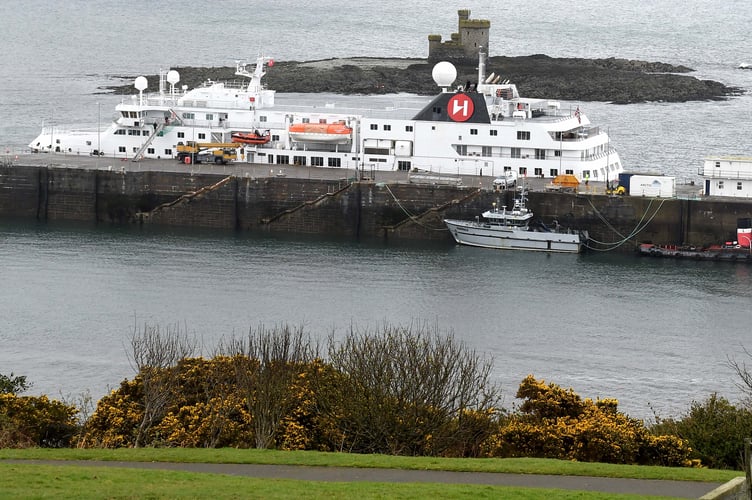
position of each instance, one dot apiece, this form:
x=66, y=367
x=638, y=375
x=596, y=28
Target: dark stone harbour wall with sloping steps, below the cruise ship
x=363, y=209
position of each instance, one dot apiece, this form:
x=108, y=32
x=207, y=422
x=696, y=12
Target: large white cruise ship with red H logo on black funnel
x=485, y=128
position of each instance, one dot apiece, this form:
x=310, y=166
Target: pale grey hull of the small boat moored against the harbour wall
x=510, y=238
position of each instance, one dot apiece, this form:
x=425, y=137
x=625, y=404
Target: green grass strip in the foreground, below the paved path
x=45, y=481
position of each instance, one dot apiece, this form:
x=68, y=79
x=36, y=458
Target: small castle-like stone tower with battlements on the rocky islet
x=472, y=34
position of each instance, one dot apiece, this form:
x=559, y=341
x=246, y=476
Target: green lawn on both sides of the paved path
x=49, y=481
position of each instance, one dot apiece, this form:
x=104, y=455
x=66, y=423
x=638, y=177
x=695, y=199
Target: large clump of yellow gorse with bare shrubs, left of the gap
x=392, y=391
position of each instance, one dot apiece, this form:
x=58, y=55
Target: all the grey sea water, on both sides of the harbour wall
x=654, y=334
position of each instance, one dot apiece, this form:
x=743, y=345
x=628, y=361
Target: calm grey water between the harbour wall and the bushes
x=640, y=330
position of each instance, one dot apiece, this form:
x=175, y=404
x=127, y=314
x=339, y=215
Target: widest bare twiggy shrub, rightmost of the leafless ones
x=406, y=391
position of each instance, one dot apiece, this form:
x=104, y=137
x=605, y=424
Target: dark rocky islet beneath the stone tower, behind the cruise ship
x=620, y=81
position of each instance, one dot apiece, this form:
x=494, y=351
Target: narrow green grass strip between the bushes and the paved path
x=310, y=458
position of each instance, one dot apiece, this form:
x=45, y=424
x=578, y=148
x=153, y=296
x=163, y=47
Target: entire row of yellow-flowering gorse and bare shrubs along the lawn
x=393, y=390
